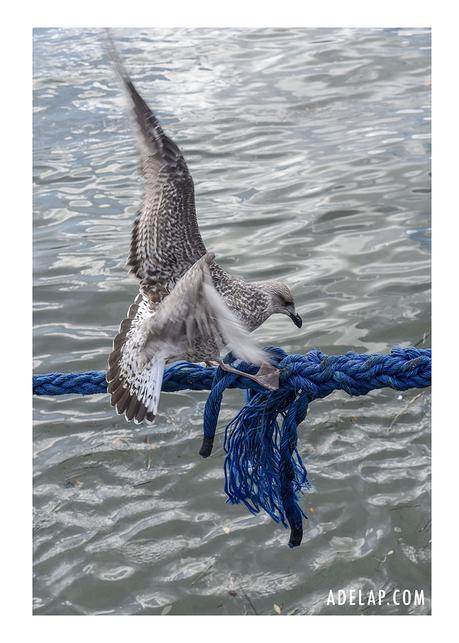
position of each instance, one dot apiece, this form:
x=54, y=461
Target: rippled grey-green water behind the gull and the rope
x=310, y=152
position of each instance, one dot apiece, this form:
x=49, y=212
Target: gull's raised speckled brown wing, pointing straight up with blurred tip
x=165, y=238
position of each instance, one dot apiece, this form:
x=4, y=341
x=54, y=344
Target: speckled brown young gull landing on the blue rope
x=188, y=307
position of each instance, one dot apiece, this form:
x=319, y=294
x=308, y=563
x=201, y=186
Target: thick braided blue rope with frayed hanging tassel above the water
x=263, y=468
